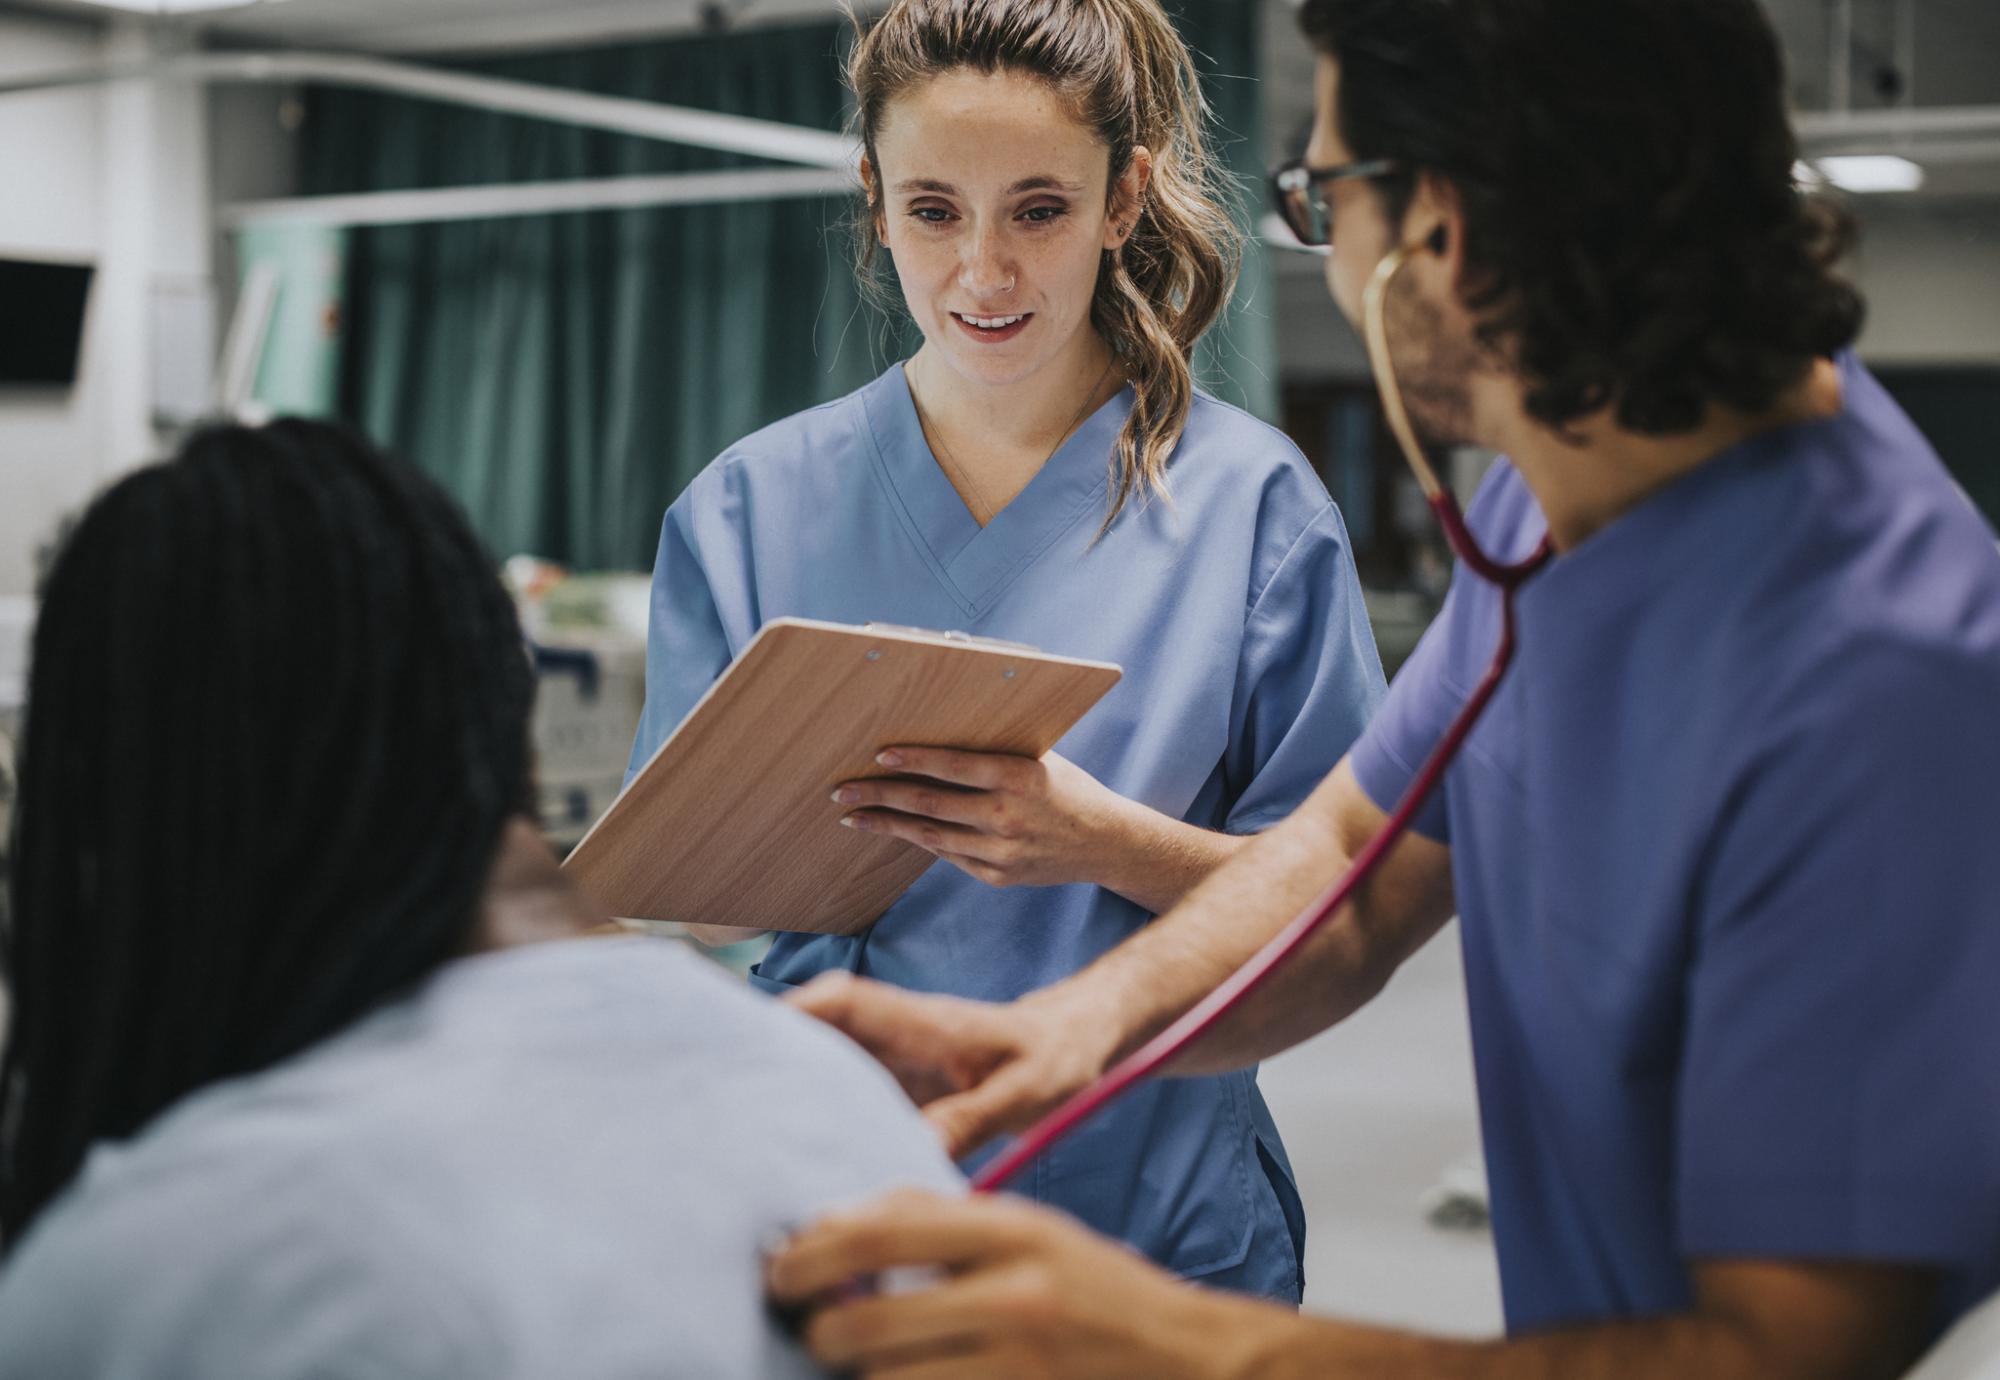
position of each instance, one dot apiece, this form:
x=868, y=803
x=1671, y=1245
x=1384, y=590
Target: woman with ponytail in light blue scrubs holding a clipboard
x=1045, y=473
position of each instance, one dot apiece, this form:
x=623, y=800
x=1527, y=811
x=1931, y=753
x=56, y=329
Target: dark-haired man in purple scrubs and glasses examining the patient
x=1727, y=847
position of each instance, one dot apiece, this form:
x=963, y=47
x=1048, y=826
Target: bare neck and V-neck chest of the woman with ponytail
x=993, y=441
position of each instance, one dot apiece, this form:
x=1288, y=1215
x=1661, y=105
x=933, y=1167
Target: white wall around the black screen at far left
x=113, y=177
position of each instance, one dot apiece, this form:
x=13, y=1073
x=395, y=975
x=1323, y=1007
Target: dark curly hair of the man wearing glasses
x=1635, y=235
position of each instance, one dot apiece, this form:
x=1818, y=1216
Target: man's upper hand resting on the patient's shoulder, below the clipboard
x=977, y=1069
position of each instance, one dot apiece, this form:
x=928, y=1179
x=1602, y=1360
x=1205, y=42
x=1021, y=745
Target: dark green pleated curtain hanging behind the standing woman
x=567, y=377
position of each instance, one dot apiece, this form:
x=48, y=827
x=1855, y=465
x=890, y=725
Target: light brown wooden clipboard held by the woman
x=733, y=819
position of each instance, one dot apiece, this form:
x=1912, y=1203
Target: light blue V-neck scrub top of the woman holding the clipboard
x=1249, y=663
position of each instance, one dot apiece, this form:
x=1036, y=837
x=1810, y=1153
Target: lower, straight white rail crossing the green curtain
x=539, y=199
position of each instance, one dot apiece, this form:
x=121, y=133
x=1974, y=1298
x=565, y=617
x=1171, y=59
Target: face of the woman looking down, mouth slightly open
x=993, y=201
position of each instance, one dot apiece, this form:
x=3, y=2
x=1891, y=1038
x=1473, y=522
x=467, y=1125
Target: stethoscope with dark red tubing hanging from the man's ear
x=1199, y=1021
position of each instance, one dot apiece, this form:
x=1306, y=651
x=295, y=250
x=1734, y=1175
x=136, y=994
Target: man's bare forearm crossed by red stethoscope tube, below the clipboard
x=1149, y=981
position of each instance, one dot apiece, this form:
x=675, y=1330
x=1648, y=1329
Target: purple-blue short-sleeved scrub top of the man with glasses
x=1727, y=853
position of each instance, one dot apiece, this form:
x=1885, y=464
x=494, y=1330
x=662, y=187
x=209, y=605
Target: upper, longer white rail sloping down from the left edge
x=675, y=125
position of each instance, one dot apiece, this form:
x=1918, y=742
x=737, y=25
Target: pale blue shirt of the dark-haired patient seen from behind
x=555, y=1161
